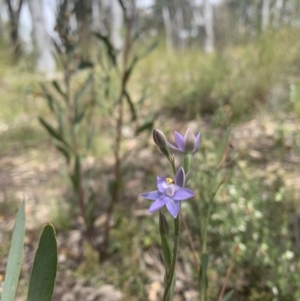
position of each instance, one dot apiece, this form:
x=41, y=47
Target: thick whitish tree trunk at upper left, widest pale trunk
x=42, y=44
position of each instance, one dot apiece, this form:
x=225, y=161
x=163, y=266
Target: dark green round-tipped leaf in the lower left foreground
x=44, y=267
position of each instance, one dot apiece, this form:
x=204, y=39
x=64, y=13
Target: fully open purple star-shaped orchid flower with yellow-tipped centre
x=170, y=193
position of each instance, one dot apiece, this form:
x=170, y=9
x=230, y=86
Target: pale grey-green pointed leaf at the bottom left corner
x=14, y=257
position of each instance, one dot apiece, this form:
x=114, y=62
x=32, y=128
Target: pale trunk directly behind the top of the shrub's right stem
x=116, y=24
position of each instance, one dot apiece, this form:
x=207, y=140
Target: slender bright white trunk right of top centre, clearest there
x=209, y=43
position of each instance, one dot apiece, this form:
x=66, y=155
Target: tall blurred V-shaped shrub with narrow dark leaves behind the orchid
x=75, y=116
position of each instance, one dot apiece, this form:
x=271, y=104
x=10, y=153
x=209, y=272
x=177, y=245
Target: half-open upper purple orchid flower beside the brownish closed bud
x=187, y=143
